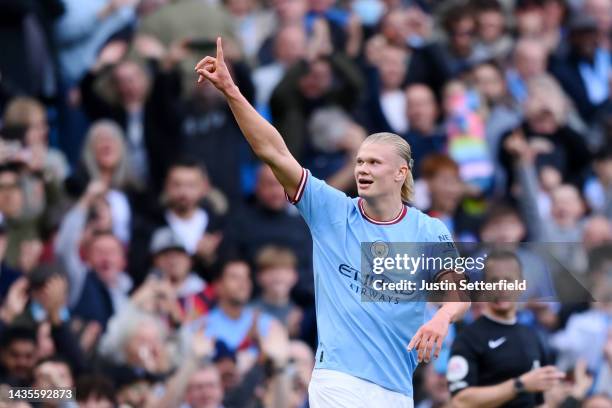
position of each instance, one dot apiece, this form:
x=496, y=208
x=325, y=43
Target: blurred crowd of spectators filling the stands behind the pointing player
x=149, y=260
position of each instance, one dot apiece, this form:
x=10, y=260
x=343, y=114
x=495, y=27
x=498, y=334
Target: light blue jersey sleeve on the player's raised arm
x=319, y=204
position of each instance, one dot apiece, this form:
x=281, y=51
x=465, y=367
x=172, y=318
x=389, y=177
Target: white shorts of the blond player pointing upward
x=335, y=389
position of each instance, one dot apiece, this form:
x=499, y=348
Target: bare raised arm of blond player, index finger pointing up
x=264, y=139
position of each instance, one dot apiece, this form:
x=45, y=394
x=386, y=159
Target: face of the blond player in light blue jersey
x=379, y=171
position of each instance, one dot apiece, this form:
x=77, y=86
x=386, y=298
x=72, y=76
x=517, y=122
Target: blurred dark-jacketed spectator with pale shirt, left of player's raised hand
x=141, y=105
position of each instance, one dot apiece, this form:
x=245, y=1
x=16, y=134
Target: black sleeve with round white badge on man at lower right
x=462, y=368
